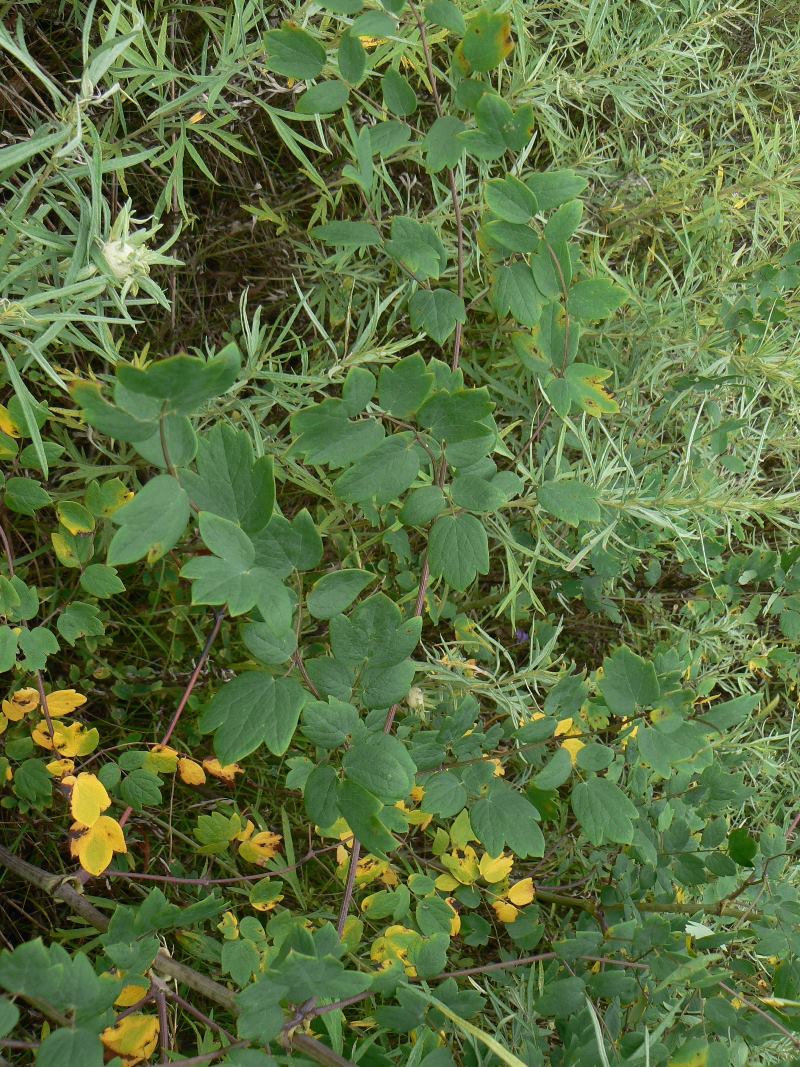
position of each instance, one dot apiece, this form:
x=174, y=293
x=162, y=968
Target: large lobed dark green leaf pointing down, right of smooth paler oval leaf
x=230, y=481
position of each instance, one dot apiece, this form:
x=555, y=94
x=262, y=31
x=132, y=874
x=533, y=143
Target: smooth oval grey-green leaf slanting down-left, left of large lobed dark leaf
x=151, y=524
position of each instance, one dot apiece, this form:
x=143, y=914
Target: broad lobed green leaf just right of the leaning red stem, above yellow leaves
x=252, y=710
